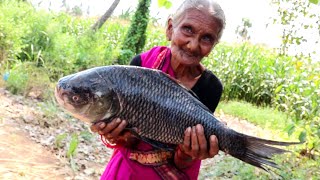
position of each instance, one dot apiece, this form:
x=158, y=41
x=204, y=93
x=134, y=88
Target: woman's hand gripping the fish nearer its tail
x=195, y=146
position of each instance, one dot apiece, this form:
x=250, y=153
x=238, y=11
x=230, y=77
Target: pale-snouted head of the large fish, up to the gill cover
x=87, y=96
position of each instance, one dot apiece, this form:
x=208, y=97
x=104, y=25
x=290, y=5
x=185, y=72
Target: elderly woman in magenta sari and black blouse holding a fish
x=193, y=30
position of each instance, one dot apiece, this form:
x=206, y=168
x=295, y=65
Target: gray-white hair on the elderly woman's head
x=210, y=6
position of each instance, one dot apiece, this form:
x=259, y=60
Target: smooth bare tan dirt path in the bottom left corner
x=22, y=158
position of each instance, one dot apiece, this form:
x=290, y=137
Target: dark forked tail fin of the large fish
x=259, y=152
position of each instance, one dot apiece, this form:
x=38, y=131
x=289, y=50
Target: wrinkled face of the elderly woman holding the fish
x=192, y=36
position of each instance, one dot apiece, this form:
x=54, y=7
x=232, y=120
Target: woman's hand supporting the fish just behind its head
x=112, y=131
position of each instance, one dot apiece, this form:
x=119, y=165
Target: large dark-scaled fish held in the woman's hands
x=157, y=109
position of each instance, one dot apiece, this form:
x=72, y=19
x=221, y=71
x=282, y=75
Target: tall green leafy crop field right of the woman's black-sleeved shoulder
x=253, y=74
